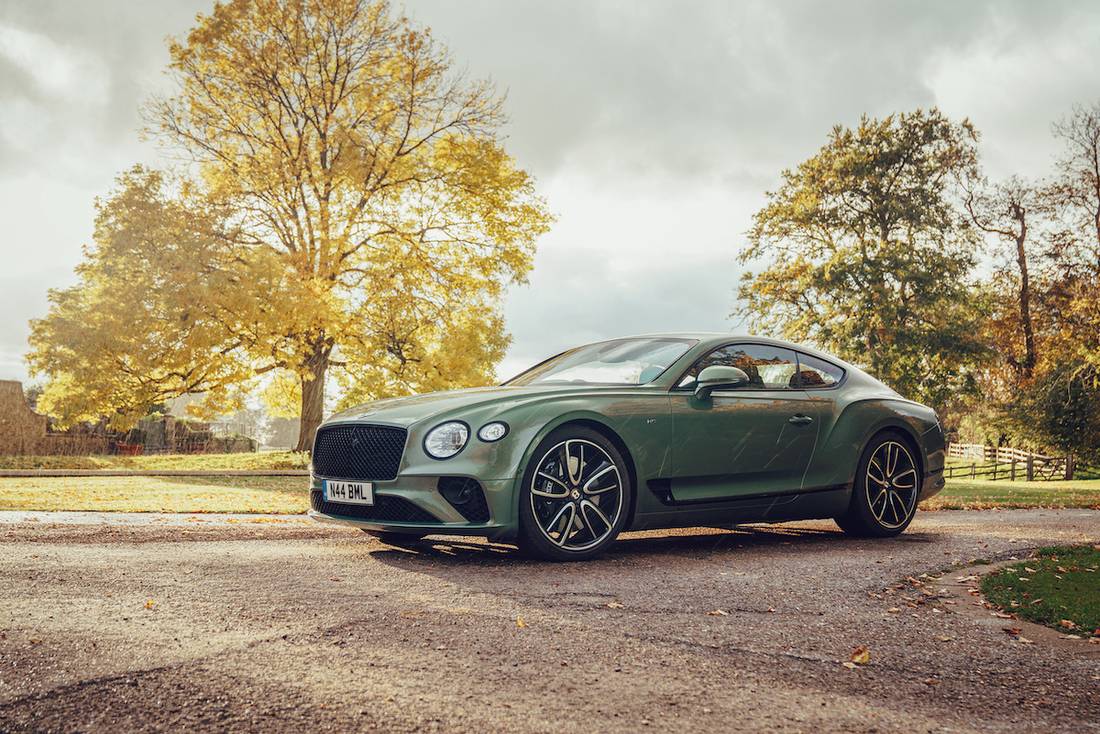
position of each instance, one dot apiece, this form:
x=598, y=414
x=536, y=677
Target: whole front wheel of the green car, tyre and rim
x=576, y=497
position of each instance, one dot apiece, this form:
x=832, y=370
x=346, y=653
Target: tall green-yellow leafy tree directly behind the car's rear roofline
x=865, y=250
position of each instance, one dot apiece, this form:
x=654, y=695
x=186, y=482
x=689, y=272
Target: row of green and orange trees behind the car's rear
x=981, y=298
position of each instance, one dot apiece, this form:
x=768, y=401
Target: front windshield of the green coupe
x=618, y=363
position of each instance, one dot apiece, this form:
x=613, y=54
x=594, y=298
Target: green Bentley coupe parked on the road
x=654, y=432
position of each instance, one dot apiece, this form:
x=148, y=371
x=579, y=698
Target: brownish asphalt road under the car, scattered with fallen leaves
x=282, y=627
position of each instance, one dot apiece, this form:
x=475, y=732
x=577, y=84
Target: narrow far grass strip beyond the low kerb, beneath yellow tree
x=262, y=461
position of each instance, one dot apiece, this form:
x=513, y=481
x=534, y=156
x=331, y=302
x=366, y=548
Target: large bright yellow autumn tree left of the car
x=349, y=206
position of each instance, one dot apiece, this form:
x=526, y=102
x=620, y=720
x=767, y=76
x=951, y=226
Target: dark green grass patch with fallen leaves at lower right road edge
x=1060, y=588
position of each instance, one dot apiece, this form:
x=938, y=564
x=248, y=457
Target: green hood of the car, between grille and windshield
x=414, y=409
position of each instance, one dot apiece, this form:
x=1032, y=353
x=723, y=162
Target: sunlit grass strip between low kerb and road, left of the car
x=174, y=495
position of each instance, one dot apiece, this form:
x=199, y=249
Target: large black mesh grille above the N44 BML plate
x=359, y=452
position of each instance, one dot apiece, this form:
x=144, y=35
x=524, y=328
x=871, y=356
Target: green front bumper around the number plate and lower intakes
x=415, y=506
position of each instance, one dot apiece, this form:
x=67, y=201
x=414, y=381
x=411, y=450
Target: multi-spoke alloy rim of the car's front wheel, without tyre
x=577, y=495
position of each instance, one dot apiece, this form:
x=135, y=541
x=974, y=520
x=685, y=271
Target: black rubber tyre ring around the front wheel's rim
x=532, y=539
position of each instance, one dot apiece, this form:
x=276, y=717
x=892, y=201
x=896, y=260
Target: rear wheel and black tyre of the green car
x=884, y=502
